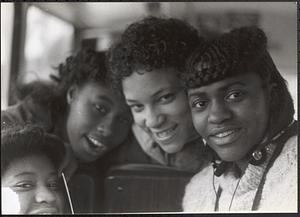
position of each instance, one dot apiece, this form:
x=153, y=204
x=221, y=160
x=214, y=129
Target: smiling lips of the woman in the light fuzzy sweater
x=225, y=135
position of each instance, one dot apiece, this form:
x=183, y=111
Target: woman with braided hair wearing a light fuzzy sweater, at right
x=242, y=108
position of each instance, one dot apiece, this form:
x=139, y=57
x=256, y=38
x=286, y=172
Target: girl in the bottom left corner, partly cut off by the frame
x=30, y=160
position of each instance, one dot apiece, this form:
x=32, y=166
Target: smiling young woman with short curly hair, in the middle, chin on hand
x=145, y=65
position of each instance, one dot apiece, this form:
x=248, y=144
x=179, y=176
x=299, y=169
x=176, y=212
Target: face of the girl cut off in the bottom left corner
x=34, y=181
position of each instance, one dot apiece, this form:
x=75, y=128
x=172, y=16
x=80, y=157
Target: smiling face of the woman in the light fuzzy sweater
x=231, y=115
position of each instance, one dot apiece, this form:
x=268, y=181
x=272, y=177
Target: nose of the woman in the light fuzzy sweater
x=219, y=112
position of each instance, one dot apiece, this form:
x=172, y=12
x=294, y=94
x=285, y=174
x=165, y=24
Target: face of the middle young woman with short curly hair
x=160, y=106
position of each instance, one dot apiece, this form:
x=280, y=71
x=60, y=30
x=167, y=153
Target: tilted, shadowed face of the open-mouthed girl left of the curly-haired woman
x=98, y=120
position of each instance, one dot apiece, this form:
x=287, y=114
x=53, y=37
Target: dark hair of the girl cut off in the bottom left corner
x=21, y=141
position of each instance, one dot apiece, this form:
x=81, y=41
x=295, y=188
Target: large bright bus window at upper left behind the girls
x=48, y=41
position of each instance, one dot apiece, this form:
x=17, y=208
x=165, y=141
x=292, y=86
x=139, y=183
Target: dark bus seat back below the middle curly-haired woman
x=144, y=188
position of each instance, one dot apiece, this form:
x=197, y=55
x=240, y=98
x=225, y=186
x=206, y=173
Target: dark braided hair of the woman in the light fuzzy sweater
x=242, y=50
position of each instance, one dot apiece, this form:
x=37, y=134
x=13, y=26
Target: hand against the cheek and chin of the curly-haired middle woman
x=148, y=144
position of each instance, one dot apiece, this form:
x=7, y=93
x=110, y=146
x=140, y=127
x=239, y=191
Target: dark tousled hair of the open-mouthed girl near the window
x=86, y=65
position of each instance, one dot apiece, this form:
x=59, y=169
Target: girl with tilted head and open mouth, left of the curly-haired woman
x=81, y=108
